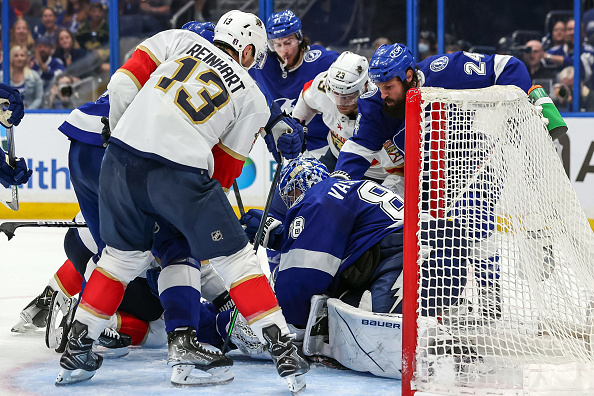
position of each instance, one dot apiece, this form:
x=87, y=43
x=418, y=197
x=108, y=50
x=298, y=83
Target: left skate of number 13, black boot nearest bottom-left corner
x=78, y=355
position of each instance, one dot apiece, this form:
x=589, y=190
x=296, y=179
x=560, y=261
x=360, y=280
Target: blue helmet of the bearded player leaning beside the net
x=390, y=61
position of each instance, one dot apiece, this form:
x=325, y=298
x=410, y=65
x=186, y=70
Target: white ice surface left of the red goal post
x=27, y=367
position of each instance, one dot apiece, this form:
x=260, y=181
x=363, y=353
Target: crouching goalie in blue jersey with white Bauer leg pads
x=357, y=262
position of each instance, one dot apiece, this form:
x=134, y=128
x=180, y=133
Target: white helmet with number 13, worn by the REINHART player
x=240, y=29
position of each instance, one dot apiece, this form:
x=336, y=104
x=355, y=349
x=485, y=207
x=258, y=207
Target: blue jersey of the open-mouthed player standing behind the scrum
x=284, y=87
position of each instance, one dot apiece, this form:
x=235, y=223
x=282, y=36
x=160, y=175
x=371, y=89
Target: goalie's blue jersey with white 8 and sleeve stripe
x=332, y=226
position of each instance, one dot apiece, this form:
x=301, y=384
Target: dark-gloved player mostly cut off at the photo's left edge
x=11, y=113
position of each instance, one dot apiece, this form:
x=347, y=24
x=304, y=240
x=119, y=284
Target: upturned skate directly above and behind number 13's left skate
x=61, y=312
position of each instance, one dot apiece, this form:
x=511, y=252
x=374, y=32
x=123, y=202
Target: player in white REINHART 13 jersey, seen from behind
x=152, y=175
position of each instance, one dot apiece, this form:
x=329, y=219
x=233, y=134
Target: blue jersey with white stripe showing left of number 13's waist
x=84, y=123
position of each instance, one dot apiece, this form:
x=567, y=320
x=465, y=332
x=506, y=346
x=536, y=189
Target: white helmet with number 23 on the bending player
x=346, y=78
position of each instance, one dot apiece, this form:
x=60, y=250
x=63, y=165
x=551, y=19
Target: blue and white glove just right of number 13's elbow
x=284, y=134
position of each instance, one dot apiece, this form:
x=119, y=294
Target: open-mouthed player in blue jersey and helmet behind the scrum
x=293, y=62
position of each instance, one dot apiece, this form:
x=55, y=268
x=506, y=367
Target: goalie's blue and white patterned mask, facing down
x=298, y=176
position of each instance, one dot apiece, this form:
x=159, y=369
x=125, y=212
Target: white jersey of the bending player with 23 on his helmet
x=313, y=100
